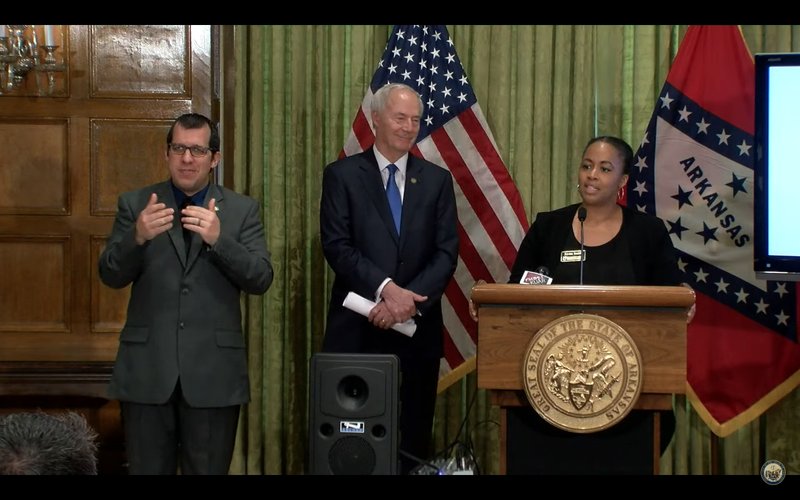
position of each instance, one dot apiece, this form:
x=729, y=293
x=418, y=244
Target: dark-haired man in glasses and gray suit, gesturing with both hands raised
x=181, y=369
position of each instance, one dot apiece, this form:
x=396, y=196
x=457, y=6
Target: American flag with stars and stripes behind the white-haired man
x=453, y=134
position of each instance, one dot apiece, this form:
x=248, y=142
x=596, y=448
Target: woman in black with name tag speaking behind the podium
x=620, y=246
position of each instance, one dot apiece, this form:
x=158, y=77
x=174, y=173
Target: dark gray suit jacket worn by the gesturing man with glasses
x=184, y=316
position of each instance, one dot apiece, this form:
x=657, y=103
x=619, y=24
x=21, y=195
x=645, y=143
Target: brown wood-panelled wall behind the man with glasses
x=65, y=159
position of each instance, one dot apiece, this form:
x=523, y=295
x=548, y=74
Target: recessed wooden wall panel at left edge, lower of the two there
x=43, y=304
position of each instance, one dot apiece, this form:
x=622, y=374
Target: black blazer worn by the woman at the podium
x=651, y=249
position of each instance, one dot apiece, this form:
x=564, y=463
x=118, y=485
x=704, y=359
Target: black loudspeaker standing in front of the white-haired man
x=353, y=425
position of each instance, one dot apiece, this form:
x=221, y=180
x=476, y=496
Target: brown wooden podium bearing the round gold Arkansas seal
x=509, y=315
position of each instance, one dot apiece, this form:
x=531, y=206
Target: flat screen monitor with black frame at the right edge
x=776, y=223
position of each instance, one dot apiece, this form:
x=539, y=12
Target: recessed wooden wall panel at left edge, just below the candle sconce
x=33, y=177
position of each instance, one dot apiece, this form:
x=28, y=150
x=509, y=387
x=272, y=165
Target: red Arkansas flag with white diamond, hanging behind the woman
x=694, y=169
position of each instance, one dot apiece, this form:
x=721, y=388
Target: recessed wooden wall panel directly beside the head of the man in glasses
x=126, y=155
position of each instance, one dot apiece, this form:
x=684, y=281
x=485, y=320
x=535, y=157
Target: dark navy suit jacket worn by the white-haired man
x=361, y=246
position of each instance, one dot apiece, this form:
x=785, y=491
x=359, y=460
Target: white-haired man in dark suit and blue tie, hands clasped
x=403, y=265
